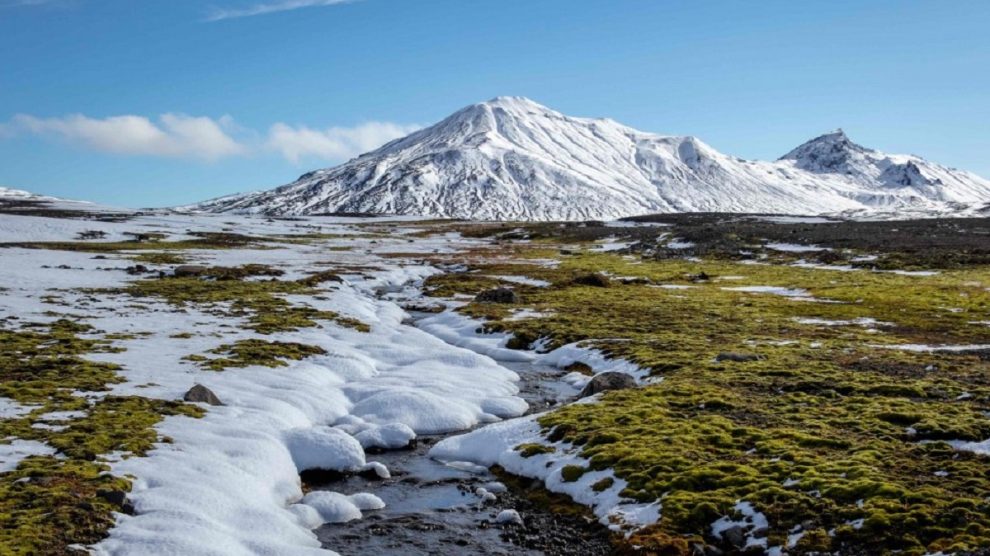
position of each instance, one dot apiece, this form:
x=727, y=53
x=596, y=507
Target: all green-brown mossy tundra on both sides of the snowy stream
x=835, y=433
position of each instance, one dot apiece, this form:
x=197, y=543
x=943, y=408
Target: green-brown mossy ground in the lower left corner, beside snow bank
x=48, y=504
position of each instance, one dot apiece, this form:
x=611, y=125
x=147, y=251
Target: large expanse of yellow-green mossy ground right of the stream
x=826, y=429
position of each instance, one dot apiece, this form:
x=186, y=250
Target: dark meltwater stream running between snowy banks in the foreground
x=437, y=509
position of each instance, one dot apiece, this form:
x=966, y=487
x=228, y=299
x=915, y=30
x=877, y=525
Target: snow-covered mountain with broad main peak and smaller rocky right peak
x=513, y=159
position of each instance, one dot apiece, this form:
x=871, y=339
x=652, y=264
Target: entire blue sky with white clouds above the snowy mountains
x=162, y=102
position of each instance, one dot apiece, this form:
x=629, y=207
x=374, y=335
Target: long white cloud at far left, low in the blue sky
x=174, y=135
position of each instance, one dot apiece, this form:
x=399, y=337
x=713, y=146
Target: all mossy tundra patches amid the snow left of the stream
x=57, y=503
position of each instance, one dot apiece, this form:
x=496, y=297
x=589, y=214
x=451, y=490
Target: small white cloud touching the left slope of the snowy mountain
x=335, y=143
